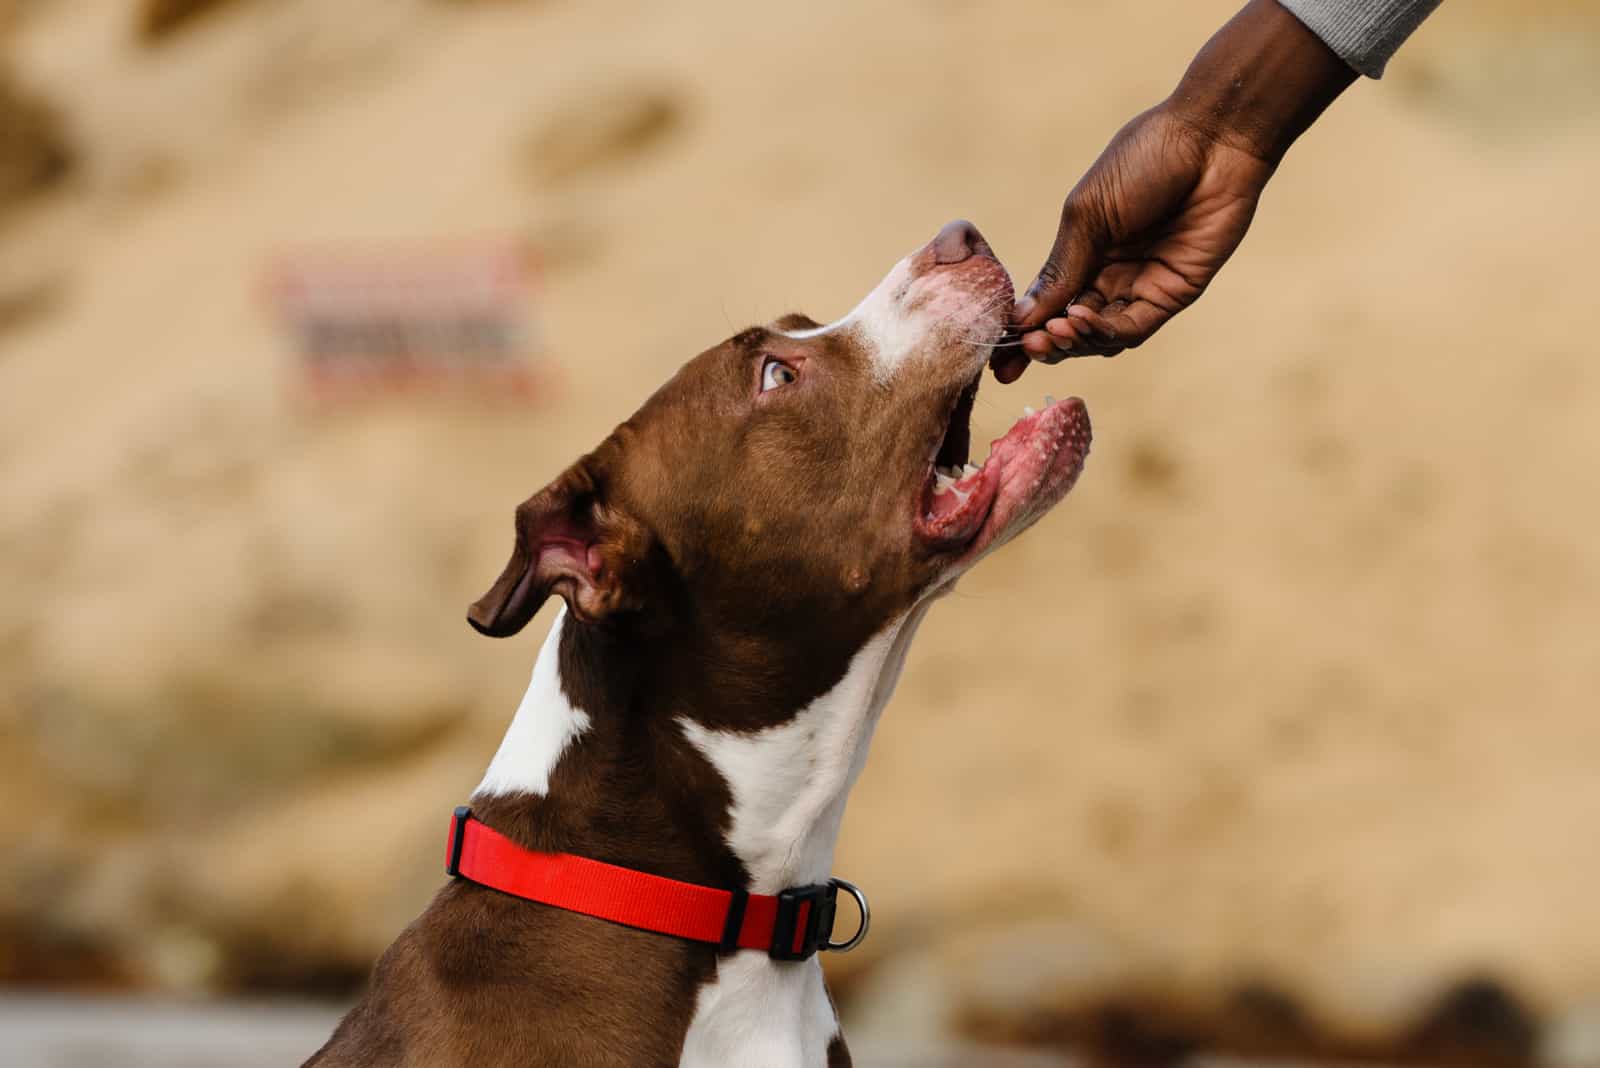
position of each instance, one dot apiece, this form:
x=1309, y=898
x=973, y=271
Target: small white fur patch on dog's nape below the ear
x=545, y=725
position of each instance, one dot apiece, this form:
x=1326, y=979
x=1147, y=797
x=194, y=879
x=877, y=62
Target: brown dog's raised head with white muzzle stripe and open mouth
x=801, y=485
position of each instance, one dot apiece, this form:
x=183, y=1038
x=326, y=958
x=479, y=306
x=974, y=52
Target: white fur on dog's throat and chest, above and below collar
x=790, y=787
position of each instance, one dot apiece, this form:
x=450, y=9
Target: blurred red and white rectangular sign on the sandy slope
x=455, y=317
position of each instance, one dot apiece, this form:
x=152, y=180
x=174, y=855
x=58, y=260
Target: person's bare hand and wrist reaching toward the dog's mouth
x=1158, y=215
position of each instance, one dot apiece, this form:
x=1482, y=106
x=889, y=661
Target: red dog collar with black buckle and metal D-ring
x=790, y=927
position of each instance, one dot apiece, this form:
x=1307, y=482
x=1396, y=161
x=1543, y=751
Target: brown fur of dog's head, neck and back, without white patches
x=724, y=554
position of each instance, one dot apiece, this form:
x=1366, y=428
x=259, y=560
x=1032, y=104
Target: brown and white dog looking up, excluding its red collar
x=745, y=564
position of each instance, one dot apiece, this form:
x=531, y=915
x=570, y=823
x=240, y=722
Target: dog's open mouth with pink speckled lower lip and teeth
x=970, y=508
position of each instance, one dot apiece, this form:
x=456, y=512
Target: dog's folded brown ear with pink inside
x=569, y=543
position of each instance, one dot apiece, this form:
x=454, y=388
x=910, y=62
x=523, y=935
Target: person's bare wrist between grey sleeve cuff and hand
x=1260, y=82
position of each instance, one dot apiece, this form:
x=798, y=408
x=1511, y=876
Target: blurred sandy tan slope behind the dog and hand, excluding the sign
x=1279, y=739
